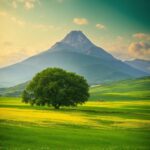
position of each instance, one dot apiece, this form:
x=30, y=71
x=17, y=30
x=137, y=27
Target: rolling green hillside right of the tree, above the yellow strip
x=135, y=89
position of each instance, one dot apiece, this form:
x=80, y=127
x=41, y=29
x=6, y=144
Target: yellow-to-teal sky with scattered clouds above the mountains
x=28, y=27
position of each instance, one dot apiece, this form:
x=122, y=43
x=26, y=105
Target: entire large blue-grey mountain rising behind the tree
x=74, y=53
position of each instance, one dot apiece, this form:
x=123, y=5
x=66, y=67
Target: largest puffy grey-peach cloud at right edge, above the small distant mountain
x=139, y=50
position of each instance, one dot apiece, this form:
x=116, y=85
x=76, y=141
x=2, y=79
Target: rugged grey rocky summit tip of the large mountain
x=77, y=39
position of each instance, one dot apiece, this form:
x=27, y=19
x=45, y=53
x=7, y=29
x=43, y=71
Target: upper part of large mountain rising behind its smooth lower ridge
x=76, y=41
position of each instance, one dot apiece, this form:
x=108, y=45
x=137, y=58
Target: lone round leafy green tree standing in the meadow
x=56, y=87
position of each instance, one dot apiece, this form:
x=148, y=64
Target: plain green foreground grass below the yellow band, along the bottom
x=26, y=136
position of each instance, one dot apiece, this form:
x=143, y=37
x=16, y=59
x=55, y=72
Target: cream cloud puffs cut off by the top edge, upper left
x=28, y=4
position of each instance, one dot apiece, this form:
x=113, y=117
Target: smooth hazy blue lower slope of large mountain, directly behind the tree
x=90, y=67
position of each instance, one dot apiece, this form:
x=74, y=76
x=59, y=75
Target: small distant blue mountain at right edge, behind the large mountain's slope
x=143, y=65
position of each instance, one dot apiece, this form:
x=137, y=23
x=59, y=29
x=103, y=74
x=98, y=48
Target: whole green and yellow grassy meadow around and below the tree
x=105, y=122
